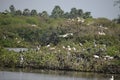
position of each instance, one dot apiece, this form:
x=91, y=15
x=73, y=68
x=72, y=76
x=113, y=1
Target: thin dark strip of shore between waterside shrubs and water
x=29, y=69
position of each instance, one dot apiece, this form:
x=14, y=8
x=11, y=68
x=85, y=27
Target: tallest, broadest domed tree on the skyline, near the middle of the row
x=57, y=12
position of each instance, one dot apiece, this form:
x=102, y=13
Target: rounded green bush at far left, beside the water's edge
x=8, y=59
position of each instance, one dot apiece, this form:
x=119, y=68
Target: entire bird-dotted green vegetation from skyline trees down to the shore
x=63, y=40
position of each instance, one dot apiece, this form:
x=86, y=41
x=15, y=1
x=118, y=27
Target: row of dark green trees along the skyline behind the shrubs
x=57, y=12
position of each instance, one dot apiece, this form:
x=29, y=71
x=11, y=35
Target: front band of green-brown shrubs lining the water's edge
x=50, y=60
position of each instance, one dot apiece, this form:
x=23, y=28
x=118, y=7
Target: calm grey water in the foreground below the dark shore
x=55, y=75
